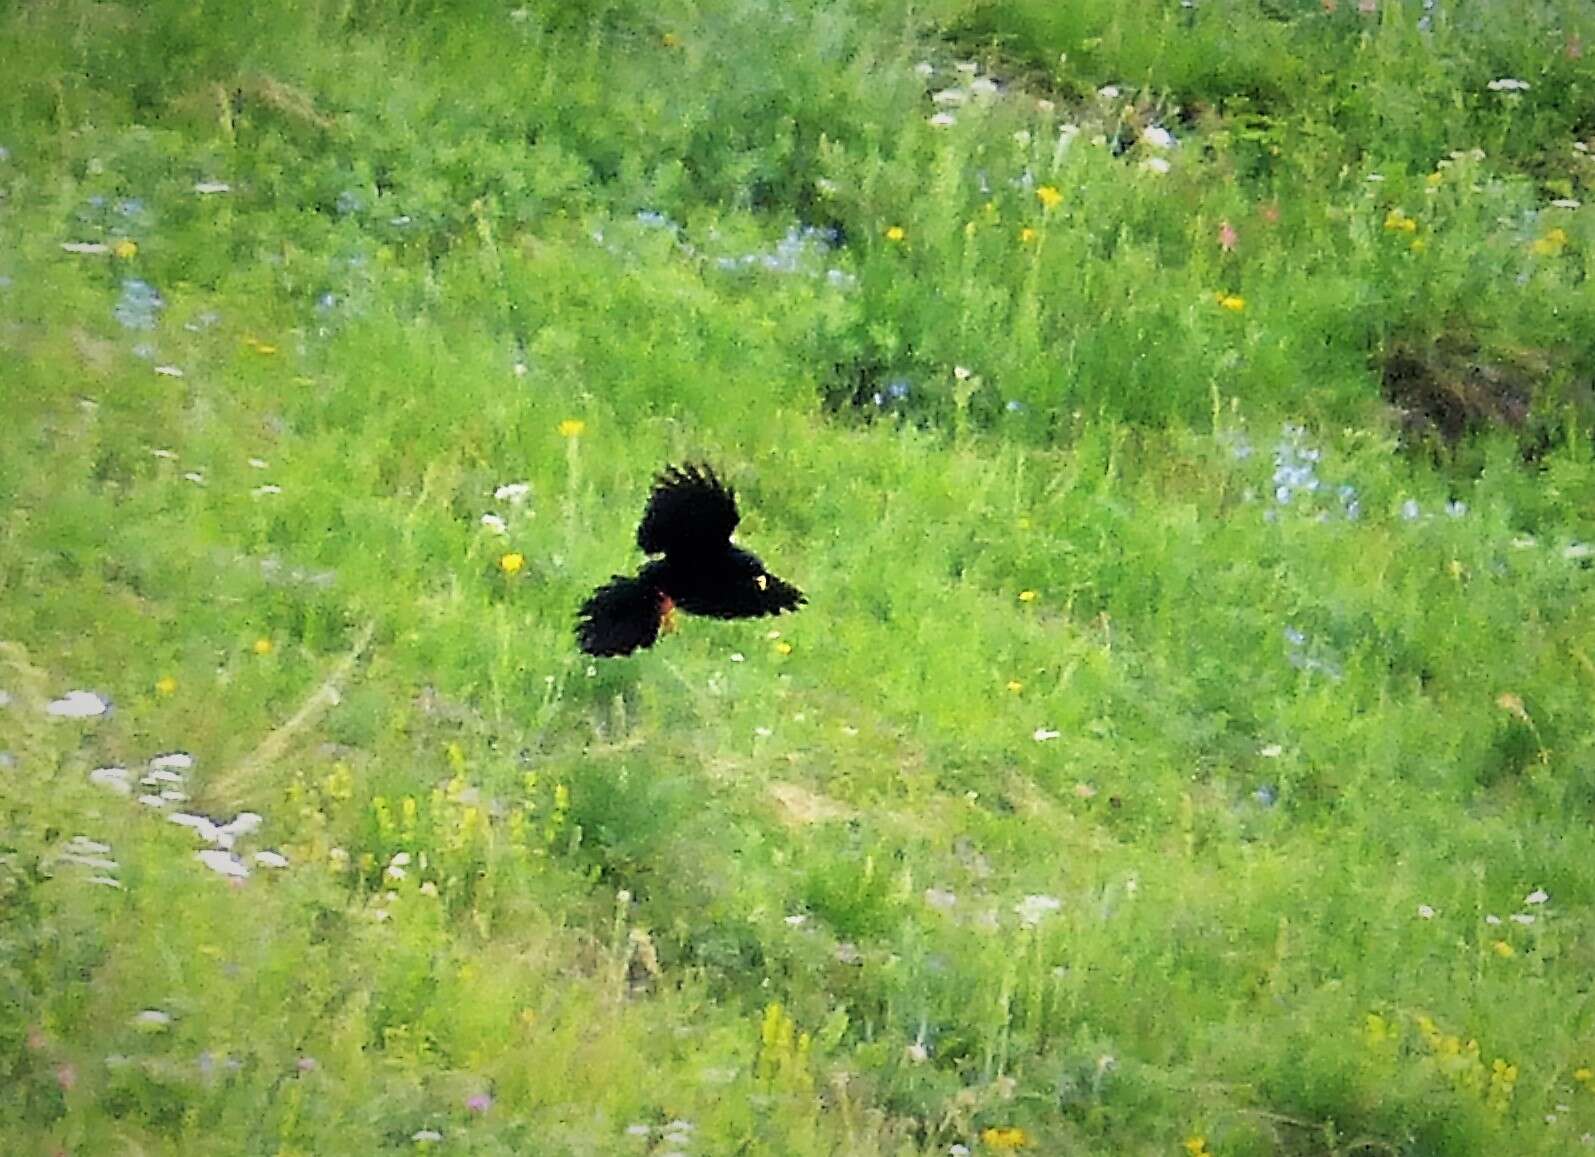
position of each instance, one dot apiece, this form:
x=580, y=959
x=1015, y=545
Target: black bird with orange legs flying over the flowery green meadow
x=688, y=521
